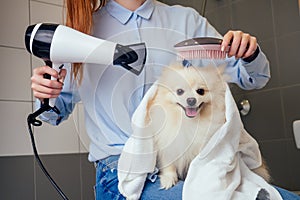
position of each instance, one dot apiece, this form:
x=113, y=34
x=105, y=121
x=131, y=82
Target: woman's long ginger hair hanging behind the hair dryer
x=79, y=16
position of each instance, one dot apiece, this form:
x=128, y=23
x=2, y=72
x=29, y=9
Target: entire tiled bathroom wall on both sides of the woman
x=276, y=23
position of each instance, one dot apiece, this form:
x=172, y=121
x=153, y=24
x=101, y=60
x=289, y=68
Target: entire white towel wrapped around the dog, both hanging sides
x=221, y=171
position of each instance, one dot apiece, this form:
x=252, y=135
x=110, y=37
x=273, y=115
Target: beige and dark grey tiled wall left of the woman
x=63, y=148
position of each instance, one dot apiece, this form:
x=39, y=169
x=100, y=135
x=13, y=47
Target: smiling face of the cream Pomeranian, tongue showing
x=190, y=89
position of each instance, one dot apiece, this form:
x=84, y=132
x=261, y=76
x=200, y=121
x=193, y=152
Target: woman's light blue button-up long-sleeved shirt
x=110, y=94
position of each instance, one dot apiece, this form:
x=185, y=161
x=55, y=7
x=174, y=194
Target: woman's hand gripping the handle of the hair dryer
x=44, y=88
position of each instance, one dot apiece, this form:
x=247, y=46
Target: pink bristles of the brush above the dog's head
x=202, y=54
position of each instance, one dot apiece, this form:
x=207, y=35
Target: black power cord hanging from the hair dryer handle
x=31, y=120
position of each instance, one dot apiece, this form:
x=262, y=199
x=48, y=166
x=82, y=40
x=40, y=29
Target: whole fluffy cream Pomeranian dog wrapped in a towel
x=187, y=109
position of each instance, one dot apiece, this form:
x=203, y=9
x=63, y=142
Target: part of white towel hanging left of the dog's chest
x=138, y=157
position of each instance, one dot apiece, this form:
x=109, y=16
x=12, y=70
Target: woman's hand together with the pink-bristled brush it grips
x=234, y=43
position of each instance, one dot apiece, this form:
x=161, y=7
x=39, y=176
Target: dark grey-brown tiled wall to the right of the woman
x=276, y=24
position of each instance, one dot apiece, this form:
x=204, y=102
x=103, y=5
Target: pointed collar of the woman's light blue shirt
x=123, y=15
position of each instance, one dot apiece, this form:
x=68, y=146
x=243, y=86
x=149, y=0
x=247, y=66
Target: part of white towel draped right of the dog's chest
x=223, y=169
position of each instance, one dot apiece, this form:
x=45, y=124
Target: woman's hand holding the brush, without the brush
x=243, y=45
